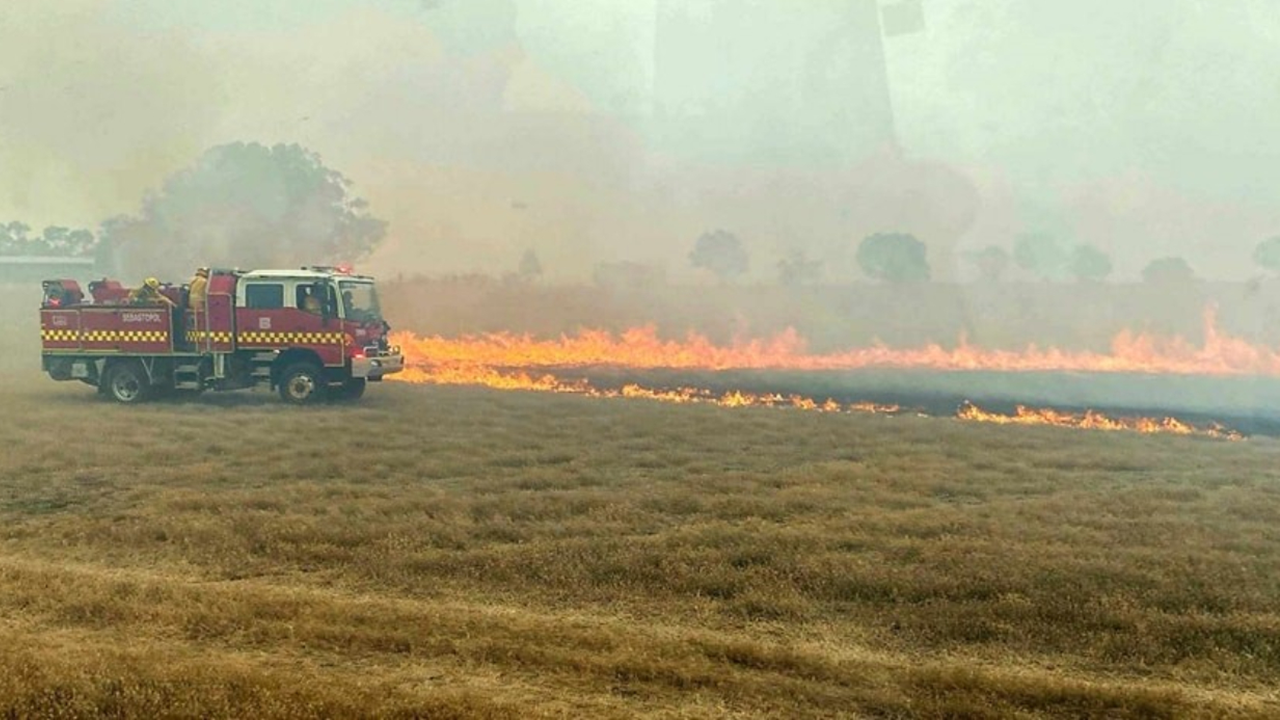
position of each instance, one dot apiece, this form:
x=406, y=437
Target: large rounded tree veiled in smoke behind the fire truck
x=246, y=206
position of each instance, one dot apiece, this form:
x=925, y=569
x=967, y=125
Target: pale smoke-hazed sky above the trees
x=484, y=127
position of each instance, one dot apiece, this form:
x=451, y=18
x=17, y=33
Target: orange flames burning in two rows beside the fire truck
x=510, y=362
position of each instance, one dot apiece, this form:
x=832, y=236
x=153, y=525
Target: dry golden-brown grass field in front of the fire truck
x=452, y=553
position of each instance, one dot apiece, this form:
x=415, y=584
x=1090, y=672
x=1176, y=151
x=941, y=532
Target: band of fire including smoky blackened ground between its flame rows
x=931, y=381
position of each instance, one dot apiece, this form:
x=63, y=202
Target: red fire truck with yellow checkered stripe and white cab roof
x=312, y=334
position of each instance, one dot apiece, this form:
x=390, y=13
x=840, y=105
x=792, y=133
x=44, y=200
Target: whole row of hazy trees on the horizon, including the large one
x=257, y=206
